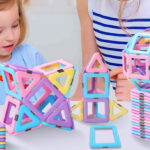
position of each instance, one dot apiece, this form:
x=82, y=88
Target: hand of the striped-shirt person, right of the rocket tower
x=123, y=85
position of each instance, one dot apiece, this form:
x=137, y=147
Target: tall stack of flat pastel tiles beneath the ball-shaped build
x=140, y=114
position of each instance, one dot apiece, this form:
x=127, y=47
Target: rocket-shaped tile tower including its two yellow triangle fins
x=95, y=105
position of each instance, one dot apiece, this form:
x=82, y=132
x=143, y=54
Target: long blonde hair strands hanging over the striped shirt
x=120, y=14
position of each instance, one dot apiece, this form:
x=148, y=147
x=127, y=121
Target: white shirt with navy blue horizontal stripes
x=110, y=38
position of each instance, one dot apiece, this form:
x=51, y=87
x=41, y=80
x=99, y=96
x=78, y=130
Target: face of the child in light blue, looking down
x=9, y=31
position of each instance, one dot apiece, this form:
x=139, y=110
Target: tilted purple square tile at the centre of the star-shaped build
x=48, y=89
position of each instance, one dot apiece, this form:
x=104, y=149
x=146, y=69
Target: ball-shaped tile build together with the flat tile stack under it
x=136, y=66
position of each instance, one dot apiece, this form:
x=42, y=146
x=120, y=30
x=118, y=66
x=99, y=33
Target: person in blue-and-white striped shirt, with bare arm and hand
x=106, y=27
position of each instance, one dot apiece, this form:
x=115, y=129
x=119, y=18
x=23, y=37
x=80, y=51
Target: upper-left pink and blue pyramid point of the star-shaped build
x=15, y=77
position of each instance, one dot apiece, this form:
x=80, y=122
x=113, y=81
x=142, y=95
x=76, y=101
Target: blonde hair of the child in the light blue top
x=6, y=4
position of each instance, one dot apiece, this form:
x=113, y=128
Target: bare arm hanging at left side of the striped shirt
x=89, y=46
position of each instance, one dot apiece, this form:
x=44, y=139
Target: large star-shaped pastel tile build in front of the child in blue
x=37, y=96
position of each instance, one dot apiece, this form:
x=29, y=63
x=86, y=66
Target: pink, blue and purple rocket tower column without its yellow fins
x=96, y=90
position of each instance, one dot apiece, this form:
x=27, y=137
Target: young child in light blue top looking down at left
x=12, y=34
